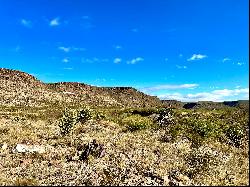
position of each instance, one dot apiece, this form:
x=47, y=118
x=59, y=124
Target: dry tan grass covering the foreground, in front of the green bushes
x=132, y=158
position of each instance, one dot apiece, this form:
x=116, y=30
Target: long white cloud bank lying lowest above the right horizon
x=216, y=95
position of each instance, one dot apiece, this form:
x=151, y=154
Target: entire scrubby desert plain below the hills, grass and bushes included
x=132, y=146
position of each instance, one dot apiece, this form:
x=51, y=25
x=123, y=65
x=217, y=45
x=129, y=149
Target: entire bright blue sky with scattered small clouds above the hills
x=188, y=50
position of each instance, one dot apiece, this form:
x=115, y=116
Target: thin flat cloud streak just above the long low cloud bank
x=169, y=87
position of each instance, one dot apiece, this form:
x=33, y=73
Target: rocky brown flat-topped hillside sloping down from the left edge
x=20, y=88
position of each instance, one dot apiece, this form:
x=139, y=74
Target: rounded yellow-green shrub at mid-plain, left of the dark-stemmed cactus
x=137, y=122
